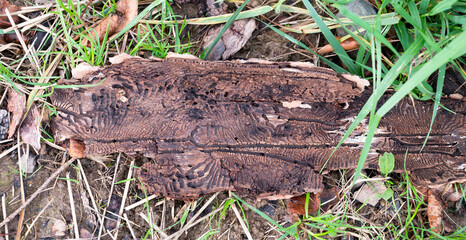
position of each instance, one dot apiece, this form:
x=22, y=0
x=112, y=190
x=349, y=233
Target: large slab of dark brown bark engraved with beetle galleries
x=261, y=129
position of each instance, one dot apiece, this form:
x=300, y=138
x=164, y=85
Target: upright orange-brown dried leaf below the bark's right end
x=435, y=210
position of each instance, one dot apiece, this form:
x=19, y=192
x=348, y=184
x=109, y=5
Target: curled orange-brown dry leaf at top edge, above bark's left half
x=126, y=11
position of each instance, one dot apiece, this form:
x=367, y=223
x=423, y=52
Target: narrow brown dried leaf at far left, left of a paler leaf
x=17, y=107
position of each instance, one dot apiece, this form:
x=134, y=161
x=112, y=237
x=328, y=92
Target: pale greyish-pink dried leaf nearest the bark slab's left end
x=30, y=129
